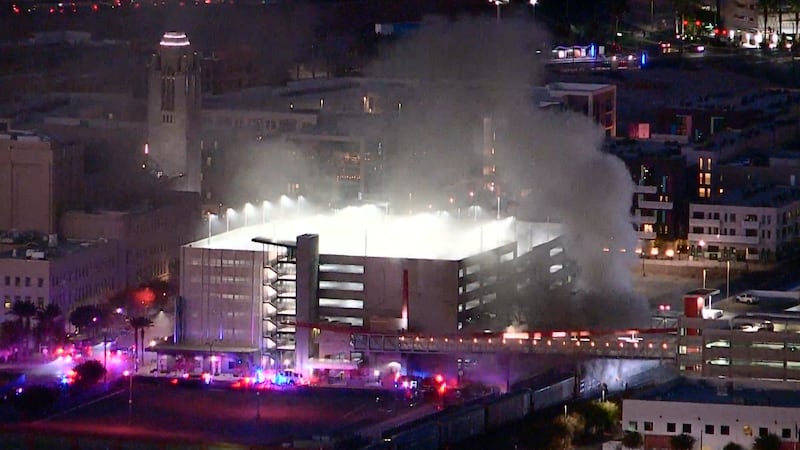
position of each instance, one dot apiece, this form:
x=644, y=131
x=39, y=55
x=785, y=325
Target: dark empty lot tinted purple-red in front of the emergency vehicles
x=218, y=414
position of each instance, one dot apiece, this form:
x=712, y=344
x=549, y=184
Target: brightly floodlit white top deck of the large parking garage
x=367, y=231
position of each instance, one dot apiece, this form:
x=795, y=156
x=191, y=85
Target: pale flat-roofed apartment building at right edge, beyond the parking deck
x=751, y=224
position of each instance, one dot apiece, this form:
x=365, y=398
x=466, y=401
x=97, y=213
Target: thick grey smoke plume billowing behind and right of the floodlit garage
x=549, y=163
